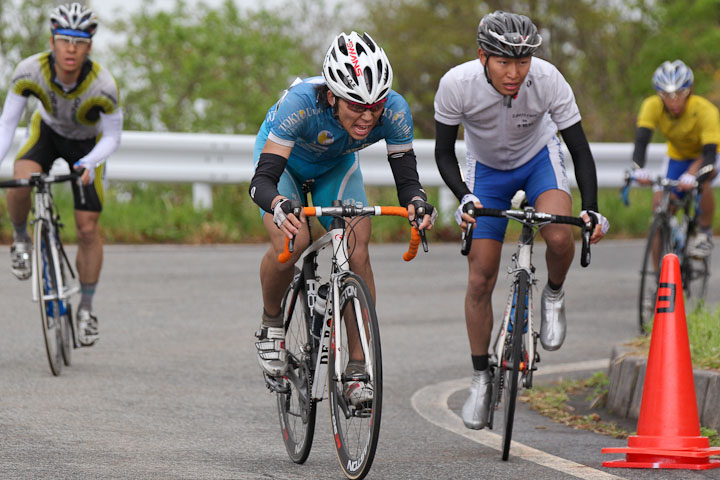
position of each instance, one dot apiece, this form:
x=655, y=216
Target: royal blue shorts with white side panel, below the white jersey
x=495, y=188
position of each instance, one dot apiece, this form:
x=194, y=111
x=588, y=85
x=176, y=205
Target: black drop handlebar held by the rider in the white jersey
x=530, y=216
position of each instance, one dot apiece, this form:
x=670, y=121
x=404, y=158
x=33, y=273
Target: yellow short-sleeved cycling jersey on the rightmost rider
x=698, y=125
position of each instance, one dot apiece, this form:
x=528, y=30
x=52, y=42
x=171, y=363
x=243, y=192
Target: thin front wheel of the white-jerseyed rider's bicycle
x=513, y=357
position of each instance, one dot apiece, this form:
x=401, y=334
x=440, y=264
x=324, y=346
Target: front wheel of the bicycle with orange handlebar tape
x=356, y=429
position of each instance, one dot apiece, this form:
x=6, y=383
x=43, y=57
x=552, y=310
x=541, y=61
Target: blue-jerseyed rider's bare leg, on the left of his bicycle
x=275, y=276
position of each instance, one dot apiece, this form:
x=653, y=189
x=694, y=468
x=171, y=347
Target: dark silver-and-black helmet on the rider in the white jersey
x=508, y=35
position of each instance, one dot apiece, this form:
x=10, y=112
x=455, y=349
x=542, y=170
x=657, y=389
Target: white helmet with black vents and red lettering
x=357, y=69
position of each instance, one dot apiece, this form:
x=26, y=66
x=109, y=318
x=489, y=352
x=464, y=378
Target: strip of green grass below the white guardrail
x=156, y=212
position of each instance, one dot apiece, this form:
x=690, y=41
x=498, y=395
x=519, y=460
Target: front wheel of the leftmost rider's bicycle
x=49, y=307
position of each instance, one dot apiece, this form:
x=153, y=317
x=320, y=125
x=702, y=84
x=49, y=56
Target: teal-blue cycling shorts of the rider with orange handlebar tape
x=340, y=179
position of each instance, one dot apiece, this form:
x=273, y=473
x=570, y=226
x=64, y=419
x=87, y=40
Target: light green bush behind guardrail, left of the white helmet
x=205, y=69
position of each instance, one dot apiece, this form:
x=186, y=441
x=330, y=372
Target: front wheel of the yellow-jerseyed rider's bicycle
x=650, y=273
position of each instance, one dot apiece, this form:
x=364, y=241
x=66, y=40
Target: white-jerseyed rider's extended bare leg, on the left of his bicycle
x=483, y=265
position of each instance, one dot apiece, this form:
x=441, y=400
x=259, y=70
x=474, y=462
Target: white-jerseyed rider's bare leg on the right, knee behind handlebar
x=560, y=245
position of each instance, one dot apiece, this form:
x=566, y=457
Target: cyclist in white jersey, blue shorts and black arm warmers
x=511, y=106
